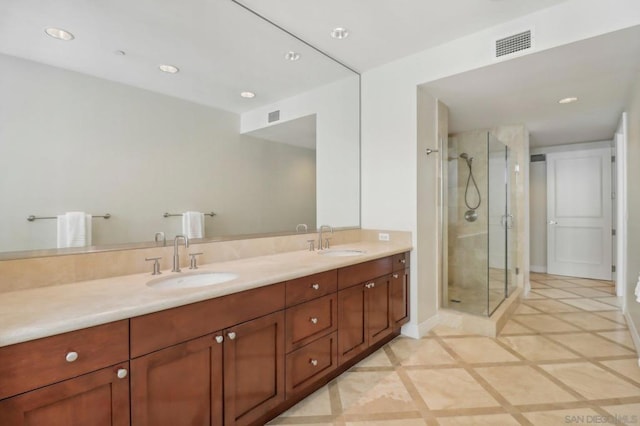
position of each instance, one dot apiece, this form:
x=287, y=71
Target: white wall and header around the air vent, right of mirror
x=389, y=118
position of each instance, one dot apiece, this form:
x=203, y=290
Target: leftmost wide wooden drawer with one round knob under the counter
x=30, y=365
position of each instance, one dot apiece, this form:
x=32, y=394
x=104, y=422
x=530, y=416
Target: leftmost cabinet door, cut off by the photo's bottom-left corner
x=100, y=398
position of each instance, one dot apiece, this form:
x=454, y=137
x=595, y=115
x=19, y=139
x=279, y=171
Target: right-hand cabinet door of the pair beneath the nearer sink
x=253, y=369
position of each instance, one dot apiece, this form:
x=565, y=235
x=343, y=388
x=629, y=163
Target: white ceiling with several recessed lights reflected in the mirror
x=220, y=48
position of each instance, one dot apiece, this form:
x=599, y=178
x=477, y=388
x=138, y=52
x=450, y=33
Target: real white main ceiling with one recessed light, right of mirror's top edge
x=381, y=31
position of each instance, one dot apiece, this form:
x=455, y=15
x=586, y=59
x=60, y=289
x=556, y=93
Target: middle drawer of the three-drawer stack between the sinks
x=310, y=320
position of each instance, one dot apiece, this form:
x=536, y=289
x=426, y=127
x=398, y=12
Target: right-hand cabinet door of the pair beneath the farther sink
x=378, y=318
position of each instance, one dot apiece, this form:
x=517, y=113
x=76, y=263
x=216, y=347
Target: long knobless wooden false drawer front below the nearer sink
x=166, y=328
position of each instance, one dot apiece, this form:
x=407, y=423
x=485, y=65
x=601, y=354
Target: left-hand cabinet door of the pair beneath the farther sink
x=352, y=320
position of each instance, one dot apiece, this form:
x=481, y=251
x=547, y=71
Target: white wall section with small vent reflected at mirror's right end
x=336, y=107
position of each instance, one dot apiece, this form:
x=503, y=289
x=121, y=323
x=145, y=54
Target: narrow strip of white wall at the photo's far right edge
x=633, y=205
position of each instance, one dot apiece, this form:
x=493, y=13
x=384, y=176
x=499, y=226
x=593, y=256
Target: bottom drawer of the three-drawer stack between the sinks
x=311, y=363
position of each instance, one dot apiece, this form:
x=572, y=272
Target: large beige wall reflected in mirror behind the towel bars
x=73, y=142
